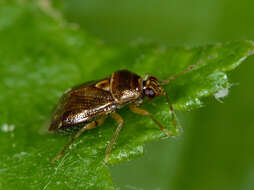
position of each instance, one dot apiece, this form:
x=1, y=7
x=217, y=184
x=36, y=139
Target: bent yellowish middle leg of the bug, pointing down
x=119, y=120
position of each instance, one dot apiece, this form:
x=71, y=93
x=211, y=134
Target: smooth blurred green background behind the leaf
x=215, y=150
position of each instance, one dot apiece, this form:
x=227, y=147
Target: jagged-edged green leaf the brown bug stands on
x=41, y=56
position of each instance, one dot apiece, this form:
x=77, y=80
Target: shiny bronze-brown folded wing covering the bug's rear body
x=81, y=104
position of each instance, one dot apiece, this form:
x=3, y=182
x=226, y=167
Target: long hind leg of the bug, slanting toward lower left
x=88, y=126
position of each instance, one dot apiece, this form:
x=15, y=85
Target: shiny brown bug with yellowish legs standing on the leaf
x=86, y=106
